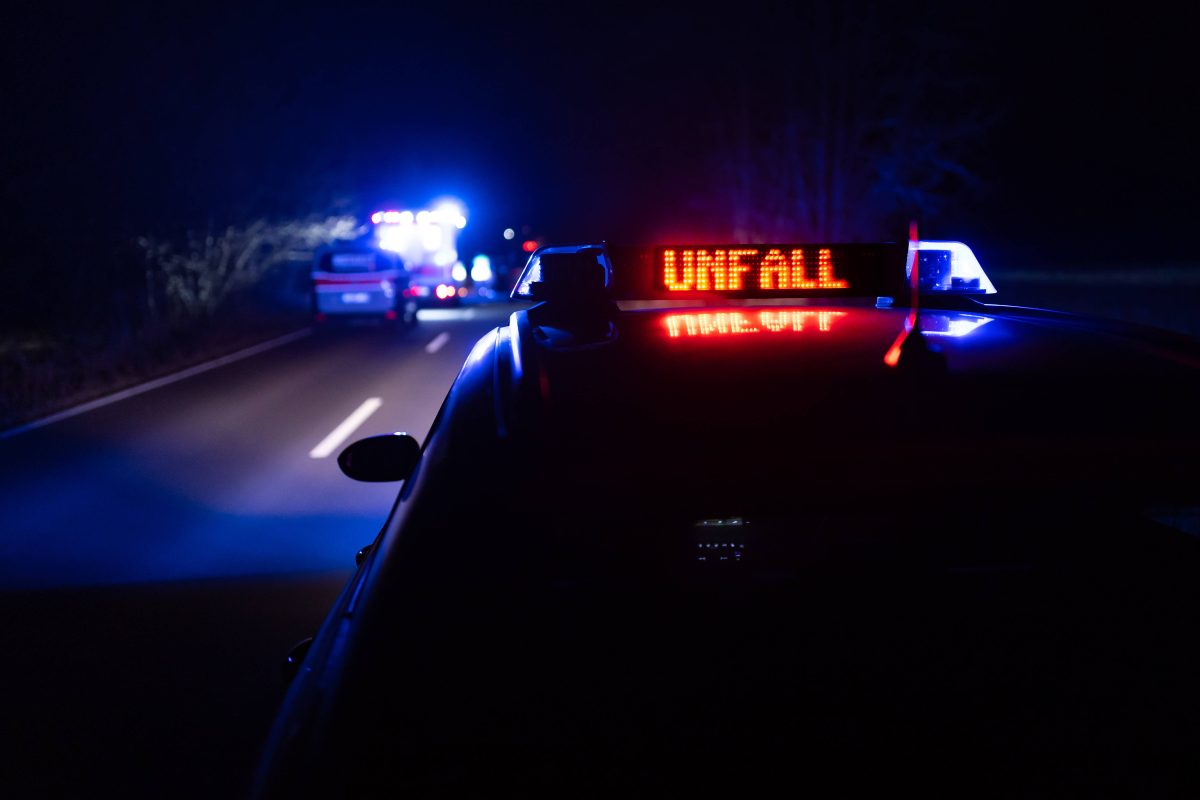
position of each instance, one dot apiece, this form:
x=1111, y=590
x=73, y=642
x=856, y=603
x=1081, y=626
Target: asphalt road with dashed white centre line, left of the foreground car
x=160, y=555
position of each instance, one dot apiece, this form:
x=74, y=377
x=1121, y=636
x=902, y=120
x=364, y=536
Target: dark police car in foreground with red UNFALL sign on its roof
x=772, y=520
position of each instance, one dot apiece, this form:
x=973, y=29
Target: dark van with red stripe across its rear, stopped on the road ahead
x=357, y=282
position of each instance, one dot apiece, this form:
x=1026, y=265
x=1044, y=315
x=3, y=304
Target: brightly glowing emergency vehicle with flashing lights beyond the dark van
x=428, y=243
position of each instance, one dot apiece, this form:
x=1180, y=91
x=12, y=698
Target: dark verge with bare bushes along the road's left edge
x=157, y=308
